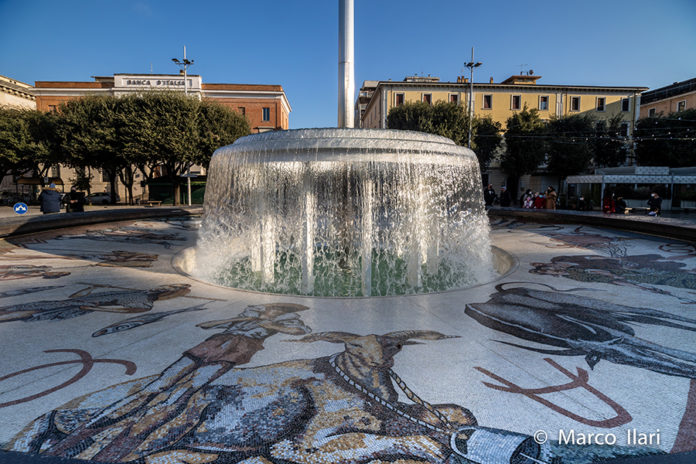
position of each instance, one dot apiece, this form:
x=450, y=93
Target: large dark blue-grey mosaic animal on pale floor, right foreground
x=585, y=326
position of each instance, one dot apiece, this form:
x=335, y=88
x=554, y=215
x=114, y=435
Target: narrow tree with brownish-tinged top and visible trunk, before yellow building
x=525, y=145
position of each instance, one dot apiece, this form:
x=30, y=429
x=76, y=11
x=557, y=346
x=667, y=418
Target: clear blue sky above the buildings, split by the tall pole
x=294, y=42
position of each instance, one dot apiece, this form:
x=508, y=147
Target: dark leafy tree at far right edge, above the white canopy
x=667, y=140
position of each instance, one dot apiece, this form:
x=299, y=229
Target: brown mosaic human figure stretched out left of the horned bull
x=141, y=417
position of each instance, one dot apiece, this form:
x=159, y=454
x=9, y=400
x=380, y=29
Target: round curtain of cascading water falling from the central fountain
x=344, y=212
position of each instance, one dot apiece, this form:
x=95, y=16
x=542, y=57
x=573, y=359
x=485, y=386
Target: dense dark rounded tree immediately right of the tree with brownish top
x=570, y=144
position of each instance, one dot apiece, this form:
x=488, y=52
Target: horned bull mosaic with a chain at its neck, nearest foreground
x=341, y=408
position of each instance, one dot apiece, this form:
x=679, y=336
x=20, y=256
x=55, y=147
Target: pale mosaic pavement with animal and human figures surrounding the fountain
x=585, y=352
